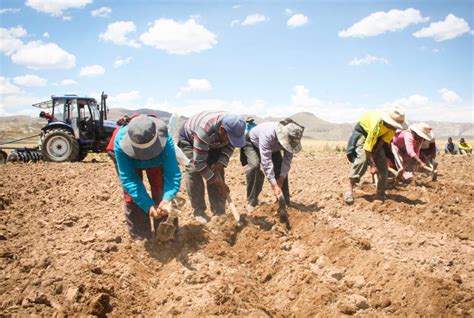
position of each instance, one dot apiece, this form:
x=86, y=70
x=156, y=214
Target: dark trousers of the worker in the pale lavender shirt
x=255, y=177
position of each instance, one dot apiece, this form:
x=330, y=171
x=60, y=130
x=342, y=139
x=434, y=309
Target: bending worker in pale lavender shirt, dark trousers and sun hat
x=264, y=145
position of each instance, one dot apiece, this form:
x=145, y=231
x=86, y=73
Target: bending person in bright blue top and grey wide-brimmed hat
x=145, y=146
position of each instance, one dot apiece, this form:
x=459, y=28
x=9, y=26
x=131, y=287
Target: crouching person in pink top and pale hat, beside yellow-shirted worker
x=406, y=147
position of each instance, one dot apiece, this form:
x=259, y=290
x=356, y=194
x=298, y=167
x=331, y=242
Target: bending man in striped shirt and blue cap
x=208, y=140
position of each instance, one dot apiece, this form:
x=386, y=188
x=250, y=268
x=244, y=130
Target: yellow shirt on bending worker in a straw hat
x=372, y=123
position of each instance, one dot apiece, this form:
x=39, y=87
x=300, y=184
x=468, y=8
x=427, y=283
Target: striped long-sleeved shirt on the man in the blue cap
x=202, y=131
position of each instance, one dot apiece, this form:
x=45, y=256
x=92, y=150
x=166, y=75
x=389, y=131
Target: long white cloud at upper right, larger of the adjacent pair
x=381, y=22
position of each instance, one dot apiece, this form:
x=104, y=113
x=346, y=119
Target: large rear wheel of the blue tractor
x=59, y=145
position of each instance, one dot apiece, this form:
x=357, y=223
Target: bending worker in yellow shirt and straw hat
x=365, y=147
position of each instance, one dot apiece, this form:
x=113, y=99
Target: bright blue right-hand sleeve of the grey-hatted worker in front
x=171, y=172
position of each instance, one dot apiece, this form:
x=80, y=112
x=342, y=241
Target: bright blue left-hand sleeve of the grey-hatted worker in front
x=132, y=184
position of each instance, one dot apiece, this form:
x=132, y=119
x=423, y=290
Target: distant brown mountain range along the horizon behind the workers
x=14, y=127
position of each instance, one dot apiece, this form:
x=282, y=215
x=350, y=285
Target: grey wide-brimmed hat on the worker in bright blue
x=145, y=137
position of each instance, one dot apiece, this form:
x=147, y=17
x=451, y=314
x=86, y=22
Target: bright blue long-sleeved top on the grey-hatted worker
x=132, y=183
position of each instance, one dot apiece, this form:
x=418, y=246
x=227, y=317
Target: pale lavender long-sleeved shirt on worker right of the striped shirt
x=264, y=137
